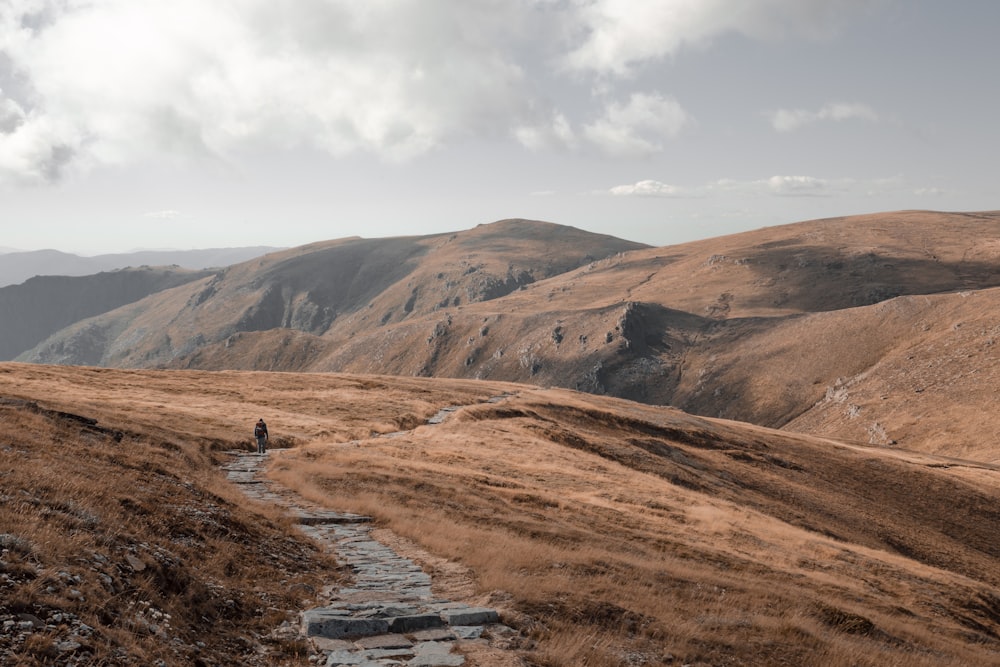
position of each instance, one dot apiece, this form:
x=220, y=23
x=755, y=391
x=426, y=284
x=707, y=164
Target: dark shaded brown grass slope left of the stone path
x=134, y=534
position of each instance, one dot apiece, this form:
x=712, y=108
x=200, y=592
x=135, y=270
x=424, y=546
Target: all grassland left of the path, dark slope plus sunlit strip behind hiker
x=121, y=542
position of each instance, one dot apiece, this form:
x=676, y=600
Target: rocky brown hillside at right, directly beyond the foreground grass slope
x=760, y=327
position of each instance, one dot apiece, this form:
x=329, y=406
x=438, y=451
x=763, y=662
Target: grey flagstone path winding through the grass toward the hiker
x=388, y=617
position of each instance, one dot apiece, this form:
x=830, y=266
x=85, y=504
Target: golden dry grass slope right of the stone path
x=608, y=553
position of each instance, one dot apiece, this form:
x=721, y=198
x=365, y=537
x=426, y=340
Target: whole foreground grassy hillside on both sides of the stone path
x=607, y=532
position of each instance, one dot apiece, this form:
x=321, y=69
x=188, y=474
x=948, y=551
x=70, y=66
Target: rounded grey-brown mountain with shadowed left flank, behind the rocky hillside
x=336, y=288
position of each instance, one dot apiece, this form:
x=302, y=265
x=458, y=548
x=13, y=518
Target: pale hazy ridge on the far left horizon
x=18, y=266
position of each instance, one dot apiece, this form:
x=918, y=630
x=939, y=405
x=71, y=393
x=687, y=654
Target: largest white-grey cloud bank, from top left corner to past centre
x=113, y=82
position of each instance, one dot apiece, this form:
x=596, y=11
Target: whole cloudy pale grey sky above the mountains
x=181, y=124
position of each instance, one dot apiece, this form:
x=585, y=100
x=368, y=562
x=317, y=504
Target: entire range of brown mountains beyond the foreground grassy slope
x=877, y=328
